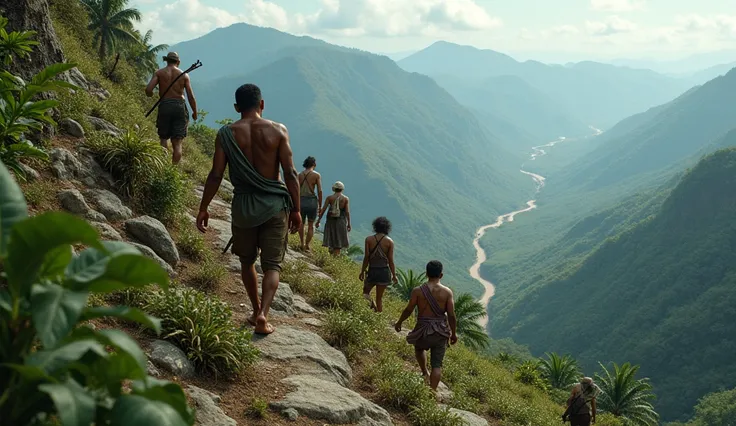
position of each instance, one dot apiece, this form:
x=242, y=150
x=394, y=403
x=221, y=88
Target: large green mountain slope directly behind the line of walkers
x=402, y=145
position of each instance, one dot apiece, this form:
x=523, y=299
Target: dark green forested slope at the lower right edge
x=659, y=294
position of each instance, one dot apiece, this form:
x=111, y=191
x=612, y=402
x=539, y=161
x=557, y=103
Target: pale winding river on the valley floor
x=480, y=254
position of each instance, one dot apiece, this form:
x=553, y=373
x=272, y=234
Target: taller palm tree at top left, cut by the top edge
x=111, y=23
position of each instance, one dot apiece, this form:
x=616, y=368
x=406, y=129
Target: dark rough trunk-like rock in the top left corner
x=33, y=15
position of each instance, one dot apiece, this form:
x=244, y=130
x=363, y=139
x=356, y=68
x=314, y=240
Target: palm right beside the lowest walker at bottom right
x=625, y=396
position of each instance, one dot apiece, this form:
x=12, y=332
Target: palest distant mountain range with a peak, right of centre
x=598, y=94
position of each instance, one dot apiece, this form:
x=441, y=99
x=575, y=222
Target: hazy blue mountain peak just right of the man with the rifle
x=238, y=50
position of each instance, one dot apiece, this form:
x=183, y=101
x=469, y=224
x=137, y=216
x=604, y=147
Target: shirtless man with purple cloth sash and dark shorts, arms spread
x=432, y=332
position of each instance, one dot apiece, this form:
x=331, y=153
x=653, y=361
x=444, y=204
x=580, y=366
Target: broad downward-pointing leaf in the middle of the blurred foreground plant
x=55, y=311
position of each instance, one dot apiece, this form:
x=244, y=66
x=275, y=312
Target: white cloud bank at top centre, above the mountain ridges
x=387, y=18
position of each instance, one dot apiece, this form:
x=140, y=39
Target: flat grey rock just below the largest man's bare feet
x=307, y=350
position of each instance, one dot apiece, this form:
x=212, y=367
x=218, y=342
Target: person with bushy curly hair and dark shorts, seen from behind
x=379, y=262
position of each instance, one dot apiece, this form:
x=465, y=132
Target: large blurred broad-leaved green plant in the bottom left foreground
x=51, y=366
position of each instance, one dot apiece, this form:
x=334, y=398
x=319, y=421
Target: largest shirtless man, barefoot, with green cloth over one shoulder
x=264, y=209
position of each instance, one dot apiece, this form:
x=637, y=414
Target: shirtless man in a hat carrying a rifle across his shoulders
x=173, y=117
